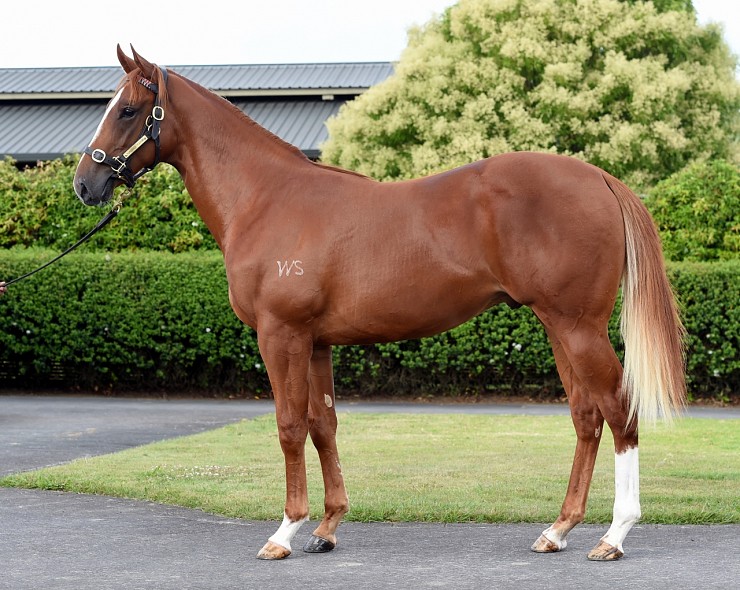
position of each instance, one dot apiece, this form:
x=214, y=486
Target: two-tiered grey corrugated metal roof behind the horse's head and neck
x=46, y=113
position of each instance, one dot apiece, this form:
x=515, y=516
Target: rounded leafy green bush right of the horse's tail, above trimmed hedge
x=698, y=212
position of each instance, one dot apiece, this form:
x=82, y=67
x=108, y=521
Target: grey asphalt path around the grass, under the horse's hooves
x=61, y=540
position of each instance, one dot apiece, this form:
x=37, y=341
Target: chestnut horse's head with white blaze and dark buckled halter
x=127, y=138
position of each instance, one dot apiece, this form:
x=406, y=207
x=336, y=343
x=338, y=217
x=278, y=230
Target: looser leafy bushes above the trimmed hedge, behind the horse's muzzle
x=38, y=207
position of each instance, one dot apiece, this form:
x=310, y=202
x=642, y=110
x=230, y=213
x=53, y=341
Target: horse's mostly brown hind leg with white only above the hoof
x=588, y=423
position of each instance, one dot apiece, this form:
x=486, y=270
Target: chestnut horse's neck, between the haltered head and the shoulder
x=229, y=164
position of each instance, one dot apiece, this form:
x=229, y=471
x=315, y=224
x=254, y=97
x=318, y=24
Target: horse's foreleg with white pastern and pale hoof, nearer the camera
x=287, y=356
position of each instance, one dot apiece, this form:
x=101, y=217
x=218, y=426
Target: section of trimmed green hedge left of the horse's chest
x=125, y=321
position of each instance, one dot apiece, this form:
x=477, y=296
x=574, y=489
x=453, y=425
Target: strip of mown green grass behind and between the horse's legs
x=443, y=468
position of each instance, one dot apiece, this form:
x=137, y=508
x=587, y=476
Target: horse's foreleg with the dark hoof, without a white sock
x=323, y=431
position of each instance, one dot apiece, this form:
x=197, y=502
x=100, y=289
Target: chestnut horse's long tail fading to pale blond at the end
x=654, y=356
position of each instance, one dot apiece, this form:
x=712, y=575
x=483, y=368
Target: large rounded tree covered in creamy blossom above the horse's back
x=637, y=89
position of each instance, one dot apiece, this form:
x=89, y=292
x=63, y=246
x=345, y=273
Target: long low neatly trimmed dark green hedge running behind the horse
x=159, y=321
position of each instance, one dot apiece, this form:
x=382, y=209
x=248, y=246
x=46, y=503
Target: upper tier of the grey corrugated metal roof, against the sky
x=245, y=78
